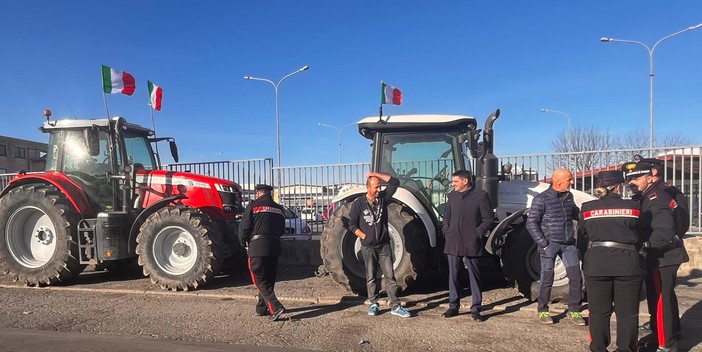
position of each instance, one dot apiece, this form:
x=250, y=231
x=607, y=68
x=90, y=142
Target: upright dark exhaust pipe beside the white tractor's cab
x=487, y=165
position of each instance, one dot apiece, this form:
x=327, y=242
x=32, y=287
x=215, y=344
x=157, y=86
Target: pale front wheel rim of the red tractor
x=175, y=250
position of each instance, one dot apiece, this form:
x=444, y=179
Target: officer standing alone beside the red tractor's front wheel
x=261, y=226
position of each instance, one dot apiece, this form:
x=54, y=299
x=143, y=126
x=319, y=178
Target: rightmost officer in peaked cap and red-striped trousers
x=664, y=251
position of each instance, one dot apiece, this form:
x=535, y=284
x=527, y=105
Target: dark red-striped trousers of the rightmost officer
x=663, y=303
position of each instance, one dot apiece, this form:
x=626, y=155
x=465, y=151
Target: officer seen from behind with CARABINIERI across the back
x=611, y=264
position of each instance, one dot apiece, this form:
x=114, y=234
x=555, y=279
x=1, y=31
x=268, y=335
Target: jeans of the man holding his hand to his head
x=374, y=257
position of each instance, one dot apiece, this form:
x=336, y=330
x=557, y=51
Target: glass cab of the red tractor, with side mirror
x=101, y=156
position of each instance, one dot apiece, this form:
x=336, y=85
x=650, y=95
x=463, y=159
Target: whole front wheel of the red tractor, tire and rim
x=179, y=248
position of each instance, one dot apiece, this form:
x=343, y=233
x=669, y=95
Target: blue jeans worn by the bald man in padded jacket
x=569, y=256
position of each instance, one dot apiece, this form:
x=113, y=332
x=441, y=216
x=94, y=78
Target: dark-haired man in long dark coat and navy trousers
x=466, y=221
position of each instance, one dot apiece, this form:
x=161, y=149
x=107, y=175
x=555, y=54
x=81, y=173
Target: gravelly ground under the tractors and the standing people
x=320, y=315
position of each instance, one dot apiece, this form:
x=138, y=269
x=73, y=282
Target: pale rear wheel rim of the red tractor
x=30, y=237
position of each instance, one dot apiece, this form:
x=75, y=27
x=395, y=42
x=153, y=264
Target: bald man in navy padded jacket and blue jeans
x=550, y=224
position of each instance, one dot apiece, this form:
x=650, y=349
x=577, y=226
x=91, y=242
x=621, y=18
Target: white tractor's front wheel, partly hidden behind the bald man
x=521, y=265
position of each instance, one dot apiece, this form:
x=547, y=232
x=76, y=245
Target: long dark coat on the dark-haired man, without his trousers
x=467, y=219
